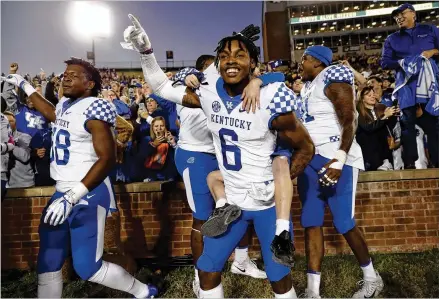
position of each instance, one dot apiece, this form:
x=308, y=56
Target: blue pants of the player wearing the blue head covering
x=314, y=197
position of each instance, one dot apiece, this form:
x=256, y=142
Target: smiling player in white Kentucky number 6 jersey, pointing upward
x=243, y=146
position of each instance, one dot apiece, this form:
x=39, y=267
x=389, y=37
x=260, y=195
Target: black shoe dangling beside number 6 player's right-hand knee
x=283, y=249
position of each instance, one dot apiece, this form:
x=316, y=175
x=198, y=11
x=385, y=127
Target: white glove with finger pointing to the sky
x=135, y=37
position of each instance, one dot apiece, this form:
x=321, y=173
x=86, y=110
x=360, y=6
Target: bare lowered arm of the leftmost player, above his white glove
x=105, y=148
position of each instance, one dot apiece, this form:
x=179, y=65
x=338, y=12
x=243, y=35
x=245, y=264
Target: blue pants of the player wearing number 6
x=217, y=250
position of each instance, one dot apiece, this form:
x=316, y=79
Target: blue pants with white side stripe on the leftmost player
x=82, y=234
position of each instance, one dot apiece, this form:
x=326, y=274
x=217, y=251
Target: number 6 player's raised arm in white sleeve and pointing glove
x=136, y=38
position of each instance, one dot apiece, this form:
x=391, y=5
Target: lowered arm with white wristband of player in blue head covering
x=342, y=97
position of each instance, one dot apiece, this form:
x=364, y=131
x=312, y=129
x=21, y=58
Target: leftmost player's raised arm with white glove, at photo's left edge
x=45, y=107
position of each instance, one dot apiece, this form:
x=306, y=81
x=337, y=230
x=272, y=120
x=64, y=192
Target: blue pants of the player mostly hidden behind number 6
x=194, y=168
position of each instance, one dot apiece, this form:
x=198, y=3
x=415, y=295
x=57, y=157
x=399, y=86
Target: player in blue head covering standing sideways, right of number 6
x=328, y=113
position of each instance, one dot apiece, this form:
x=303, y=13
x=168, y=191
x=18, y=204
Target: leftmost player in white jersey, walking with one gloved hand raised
x=82, y=155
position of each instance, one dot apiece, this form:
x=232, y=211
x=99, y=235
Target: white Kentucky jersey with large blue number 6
x=244, y=141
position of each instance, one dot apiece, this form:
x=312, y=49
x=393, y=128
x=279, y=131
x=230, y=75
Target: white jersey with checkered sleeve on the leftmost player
x=72, y=153
